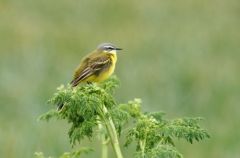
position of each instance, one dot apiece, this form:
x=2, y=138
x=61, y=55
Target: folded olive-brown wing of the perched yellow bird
x=91, y=66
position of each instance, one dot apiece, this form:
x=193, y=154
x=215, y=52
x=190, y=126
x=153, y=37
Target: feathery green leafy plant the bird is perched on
x=91, y=109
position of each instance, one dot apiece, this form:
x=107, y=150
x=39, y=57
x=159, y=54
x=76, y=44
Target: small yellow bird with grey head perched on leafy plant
x=97, y=66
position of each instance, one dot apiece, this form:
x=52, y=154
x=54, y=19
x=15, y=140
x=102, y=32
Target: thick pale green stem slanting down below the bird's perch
x=112, y=133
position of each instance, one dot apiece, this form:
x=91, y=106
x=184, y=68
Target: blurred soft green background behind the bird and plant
x=181, y=57
